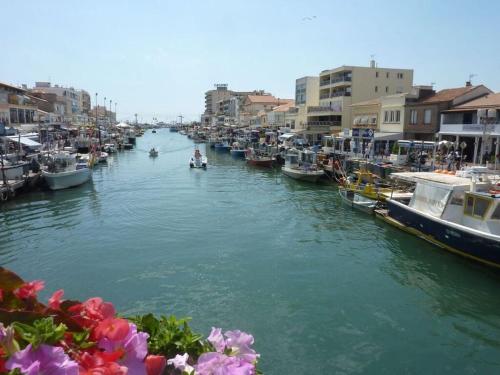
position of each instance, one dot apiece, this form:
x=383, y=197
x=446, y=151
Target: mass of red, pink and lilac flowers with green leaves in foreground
x=68, y=337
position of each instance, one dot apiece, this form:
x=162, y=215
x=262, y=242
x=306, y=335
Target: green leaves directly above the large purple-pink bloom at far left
x=43, y=331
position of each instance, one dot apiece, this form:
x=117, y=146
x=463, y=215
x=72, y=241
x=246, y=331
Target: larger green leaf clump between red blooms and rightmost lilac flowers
x=169, y=336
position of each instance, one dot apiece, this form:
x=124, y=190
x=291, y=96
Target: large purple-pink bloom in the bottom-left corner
x=45, y=359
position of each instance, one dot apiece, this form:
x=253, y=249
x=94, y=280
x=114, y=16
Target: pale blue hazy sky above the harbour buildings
x=157, y=58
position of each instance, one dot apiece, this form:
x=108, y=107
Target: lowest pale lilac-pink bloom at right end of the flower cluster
x=218, y=364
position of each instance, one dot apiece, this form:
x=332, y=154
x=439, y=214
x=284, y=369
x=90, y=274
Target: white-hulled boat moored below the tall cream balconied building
x=301, y=166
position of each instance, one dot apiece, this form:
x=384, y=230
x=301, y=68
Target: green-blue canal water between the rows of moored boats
x=324, y=289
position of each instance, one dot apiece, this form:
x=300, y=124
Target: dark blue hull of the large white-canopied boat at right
x=485, y=249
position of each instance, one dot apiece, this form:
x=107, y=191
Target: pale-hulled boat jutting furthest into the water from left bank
x=63, y=171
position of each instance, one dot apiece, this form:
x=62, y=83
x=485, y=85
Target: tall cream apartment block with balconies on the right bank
x=341, y=87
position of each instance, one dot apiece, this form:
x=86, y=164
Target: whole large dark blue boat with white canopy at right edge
x=456, y=213
